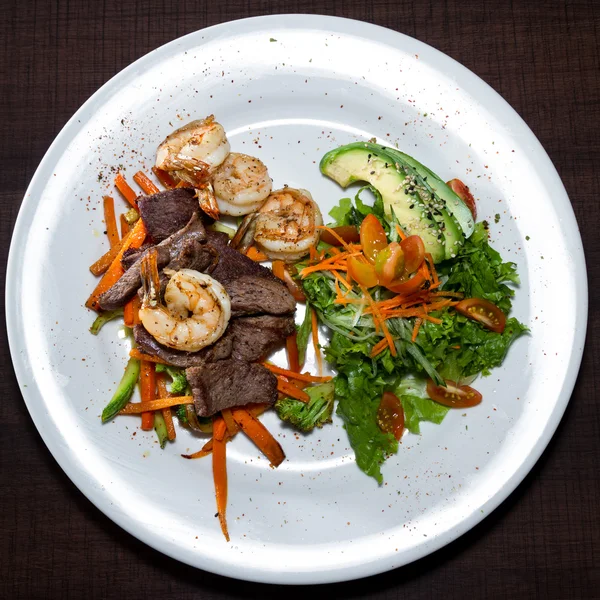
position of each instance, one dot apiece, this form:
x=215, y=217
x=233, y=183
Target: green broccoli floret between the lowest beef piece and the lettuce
x=308, y=415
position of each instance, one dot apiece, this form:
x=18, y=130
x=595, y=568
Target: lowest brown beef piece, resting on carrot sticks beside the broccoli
x=230, y=383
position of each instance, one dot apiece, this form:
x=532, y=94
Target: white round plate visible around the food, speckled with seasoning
x=287, y=89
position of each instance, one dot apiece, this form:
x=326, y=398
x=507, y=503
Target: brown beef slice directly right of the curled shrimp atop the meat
x=250, y=295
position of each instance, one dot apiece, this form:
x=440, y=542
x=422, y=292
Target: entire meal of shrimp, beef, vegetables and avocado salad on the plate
x=411, y=295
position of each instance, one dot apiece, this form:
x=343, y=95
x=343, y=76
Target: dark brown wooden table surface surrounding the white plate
x=543, y=57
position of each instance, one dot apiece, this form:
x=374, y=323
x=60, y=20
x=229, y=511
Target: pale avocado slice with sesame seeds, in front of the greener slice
x=363, y=161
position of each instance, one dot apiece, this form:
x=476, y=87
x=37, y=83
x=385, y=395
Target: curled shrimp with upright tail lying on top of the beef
x=196, y=308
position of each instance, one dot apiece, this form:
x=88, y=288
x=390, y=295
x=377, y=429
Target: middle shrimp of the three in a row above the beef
x=241, y=184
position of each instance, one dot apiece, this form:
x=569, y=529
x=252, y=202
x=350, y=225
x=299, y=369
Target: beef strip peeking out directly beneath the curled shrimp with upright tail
x=220, y=350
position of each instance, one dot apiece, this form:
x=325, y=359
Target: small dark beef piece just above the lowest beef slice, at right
x=255, y=337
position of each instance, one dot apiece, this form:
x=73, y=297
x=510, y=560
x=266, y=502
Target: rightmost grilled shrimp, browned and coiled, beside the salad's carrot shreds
x=286, y=224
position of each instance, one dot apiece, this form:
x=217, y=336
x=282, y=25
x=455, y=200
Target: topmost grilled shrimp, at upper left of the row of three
x=194, y=151
